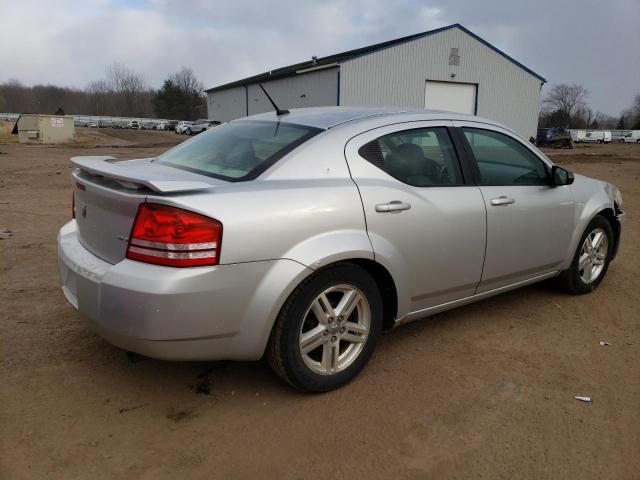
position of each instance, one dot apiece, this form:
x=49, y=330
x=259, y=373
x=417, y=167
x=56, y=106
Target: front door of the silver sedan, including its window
x=529, y=222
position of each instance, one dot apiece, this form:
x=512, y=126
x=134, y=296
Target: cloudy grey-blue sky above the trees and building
x=70, y=43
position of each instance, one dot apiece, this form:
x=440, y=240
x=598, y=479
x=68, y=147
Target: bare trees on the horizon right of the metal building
x=566, y=106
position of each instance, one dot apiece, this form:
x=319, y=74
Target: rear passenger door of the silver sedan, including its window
x=425, y=224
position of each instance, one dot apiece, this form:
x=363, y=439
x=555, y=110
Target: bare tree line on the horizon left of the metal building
x=122, y=93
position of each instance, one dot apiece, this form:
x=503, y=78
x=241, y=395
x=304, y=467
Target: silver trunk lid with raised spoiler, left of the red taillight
x=107, y=194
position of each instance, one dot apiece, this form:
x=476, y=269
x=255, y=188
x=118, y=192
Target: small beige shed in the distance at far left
x=34, y=128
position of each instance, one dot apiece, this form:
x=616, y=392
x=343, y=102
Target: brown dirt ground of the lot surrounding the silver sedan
x=484, y=391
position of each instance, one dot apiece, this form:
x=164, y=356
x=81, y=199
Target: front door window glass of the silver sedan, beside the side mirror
x=503, y=160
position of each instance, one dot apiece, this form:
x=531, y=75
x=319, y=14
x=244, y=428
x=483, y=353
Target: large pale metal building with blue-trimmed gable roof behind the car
x=449, y=68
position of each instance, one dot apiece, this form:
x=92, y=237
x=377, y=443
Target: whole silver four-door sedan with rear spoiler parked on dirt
x=301, y=237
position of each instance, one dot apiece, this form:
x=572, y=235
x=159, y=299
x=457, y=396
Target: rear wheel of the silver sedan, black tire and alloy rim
x=342, y=344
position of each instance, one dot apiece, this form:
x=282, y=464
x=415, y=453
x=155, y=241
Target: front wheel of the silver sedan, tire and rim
x=586, y=273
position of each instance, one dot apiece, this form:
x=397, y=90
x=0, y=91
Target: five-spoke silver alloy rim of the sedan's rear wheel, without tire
x=335, y=329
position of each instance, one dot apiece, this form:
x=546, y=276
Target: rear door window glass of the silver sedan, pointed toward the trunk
x=422, y=157
